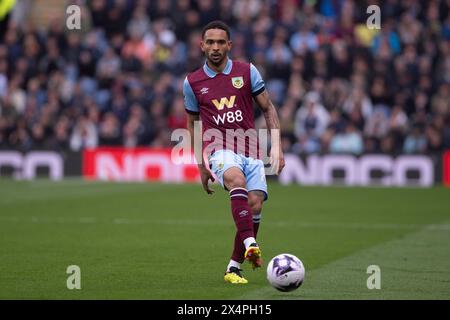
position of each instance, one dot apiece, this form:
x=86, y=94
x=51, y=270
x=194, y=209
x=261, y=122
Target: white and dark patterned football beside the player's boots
x=285, y=272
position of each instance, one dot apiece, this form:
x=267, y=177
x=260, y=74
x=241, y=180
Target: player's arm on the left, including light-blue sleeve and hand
x=192, y=109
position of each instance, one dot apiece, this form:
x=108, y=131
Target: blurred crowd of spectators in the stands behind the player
x=338, y=86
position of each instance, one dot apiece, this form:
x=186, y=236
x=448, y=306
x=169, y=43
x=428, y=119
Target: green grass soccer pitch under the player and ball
x=156, y=241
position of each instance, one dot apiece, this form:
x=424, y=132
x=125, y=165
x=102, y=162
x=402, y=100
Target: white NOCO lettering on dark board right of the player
x=395, y=171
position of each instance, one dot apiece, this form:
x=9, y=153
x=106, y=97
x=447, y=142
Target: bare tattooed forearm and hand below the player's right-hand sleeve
x=273, y=124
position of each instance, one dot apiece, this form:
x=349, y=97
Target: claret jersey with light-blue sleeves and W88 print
x=224, y=102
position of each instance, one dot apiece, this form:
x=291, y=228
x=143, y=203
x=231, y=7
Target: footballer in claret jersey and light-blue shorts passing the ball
x=220, y=95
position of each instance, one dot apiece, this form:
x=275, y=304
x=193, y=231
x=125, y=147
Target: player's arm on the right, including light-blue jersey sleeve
x=262, y=98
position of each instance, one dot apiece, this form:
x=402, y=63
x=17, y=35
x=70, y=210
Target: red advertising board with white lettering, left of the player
x=138, y=164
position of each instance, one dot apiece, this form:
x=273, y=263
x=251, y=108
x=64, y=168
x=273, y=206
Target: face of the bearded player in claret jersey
x=216, y=45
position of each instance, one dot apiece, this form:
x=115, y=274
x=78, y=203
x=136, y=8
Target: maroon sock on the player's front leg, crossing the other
x=241, y=213
